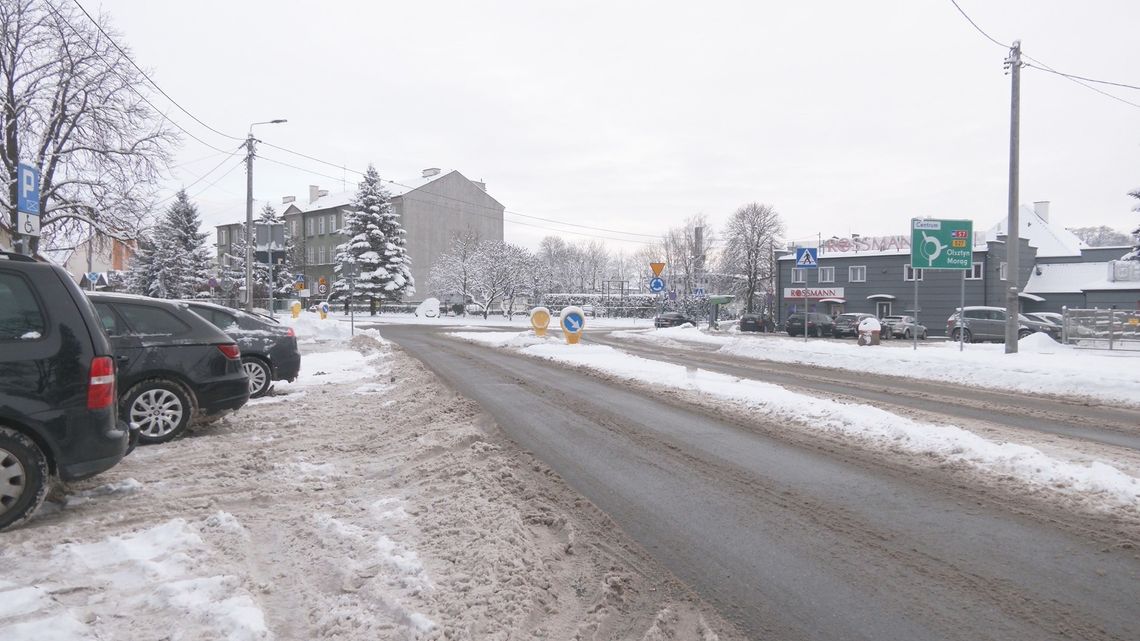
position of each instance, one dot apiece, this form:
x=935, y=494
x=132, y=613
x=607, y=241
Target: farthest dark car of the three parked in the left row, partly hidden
x=270, y=352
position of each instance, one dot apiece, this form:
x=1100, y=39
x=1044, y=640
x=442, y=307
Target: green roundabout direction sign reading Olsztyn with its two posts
x=942, y=245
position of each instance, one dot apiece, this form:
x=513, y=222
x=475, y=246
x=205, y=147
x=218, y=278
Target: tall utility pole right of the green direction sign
x=1013, y=225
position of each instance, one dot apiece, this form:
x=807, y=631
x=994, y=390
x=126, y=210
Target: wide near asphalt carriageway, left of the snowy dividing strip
x=793, y=540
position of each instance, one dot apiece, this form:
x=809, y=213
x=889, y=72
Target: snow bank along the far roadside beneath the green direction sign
x=1041, y=366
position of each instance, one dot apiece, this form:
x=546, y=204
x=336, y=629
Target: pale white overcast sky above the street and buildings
x=632, y=117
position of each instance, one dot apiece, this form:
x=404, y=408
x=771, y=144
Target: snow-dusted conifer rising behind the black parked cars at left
x=177, y=263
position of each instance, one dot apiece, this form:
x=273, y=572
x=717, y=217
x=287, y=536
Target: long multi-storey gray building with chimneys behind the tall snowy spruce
x=434, y=209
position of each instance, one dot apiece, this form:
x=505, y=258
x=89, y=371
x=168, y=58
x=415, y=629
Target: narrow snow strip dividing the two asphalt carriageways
x=862, y=421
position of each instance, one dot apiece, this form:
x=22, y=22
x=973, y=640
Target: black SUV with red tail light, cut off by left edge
x=58, y=387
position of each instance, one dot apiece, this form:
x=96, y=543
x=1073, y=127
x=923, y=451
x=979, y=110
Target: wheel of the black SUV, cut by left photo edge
x=23, y=477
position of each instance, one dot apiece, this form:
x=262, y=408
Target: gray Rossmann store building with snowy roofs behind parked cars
x=874, y=275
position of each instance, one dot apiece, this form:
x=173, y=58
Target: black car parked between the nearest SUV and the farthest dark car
x=174, y=366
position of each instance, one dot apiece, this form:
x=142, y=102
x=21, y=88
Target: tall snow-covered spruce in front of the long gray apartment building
x=377, y=247
